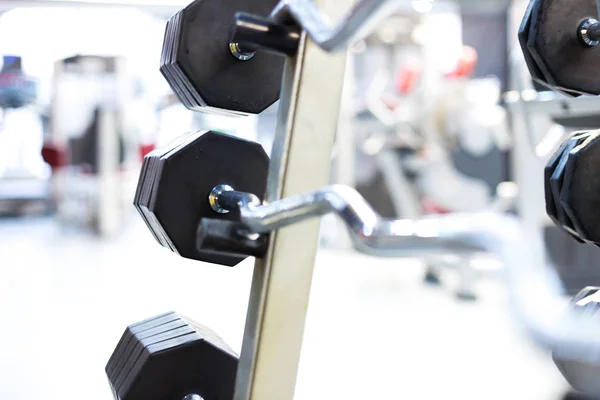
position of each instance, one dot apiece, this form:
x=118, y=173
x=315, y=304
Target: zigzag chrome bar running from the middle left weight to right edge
x=534, y=288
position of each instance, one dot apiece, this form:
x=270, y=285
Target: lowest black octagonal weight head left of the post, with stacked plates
x=171, y=357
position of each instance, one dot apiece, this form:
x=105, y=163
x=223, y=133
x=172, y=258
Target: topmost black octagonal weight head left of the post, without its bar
x=200, y=68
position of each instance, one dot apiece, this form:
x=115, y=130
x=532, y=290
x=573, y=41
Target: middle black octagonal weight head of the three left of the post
x=179, y=199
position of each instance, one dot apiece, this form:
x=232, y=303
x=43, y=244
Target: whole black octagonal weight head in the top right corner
x=559, y=40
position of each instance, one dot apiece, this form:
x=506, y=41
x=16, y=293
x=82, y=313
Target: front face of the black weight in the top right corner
x=570, y=63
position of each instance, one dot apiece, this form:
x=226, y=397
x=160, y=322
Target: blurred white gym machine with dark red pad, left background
x=91, y=151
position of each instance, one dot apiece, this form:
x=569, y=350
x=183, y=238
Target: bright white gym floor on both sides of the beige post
x=374, y=330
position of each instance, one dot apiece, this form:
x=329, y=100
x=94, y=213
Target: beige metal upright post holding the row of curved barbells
x=301, y=159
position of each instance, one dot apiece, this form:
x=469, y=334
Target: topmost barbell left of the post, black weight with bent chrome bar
x=224, y=56
